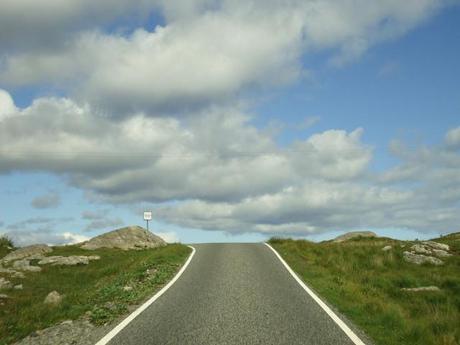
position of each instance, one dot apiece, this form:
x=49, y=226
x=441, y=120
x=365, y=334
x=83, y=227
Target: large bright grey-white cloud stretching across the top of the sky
x=205, y=52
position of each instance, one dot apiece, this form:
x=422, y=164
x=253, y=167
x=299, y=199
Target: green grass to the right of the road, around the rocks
x=364, y=283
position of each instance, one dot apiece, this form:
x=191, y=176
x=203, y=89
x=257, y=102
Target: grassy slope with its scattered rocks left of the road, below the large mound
x=92, y=287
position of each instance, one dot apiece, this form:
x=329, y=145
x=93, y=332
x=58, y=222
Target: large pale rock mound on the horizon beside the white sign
x=133, y=237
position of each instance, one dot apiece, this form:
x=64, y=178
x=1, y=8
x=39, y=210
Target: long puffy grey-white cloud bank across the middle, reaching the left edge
x=216, y=156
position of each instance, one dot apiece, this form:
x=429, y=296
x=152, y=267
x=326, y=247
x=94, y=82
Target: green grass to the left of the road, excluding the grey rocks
x=95, y=288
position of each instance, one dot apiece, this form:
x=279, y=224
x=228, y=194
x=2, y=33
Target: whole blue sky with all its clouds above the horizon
x=232, y=121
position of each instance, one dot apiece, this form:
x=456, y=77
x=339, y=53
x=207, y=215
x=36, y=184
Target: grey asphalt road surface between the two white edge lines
x=233, y=294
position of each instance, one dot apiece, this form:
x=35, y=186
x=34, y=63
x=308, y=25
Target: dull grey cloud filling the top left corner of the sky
x=47, y=24
